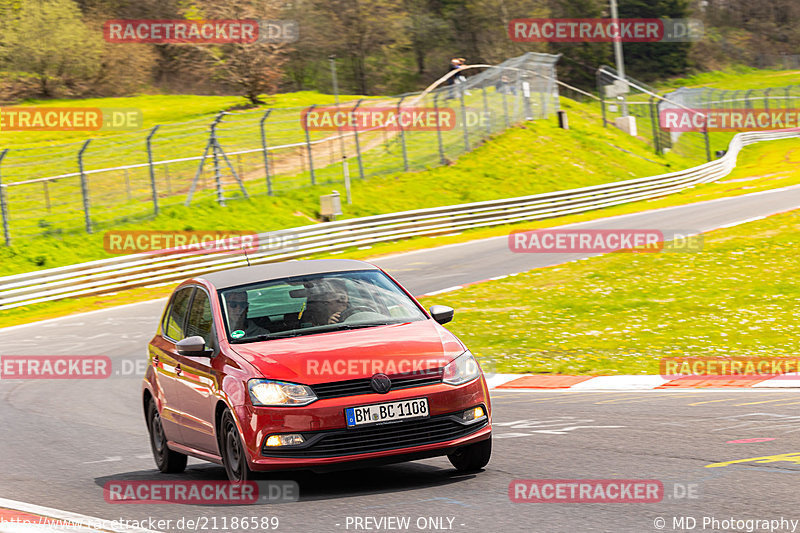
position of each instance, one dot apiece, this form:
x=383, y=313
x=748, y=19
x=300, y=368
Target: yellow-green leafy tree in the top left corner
x=49, y=39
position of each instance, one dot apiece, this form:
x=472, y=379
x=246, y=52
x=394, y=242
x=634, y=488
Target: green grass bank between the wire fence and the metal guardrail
x=536, y=157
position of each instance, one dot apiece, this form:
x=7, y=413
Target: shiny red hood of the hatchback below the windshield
x=354, y=354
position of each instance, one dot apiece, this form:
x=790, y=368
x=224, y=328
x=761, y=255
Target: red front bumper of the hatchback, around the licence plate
x=329, y=442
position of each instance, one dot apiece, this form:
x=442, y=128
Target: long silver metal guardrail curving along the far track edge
x=158, y=268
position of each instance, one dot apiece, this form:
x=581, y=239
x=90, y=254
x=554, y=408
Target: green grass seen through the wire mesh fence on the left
x=124, y=194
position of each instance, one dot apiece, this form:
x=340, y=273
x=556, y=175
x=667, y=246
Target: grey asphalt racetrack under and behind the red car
x=62, y=440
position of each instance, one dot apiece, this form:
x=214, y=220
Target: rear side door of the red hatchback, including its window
x=163, y=358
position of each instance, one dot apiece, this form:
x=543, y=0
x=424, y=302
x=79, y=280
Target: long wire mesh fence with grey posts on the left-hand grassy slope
x=114, y=179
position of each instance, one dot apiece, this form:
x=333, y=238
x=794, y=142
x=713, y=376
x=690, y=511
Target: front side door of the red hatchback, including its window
x=197, y=380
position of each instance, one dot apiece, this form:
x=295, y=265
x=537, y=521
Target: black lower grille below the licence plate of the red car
x=370, y=439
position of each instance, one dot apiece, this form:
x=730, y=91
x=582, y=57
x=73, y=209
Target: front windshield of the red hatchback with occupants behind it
x=316, y=303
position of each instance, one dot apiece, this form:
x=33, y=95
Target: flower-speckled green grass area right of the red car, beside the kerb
x=620, y=313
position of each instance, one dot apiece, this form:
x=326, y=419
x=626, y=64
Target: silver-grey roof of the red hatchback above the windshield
x=253, y=274
